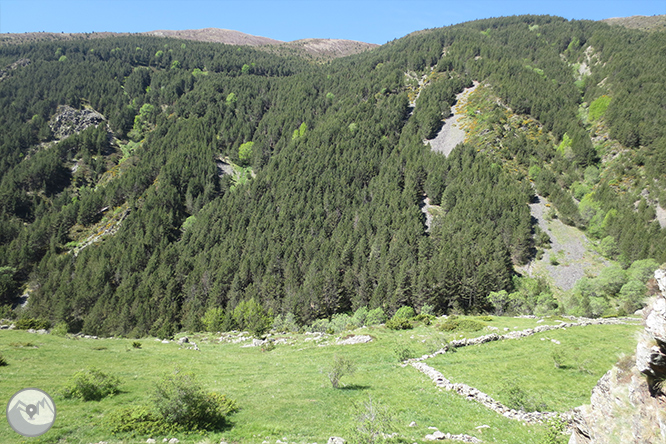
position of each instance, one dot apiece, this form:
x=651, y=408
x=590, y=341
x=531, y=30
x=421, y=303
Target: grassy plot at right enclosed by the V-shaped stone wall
x=582, y=355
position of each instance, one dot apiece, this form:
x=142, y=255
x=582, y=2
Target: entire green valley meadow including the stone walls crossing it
x=283, y=393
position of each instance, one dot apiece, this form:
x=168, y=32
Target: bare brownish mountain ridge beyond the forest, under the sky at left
x=321, y=48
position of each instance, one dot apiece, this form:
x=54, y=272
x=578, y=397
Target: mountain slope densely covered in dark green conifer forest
x=323, y=216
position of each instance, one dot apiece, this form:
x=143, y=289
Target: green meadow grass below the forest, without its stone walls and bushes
x=284, y=393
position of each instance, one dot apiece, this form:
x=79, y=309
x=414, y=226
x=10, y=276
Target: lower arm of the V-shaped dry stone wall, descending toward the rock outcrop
x=478, y=396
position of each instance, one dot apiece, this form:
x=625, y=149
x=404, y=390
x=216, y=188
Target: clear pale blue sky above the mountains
x=374, y=21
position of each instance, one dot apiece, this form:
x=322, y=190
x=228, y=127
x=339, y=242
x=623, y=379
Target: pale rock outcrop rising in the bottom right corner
x=628, y=404
